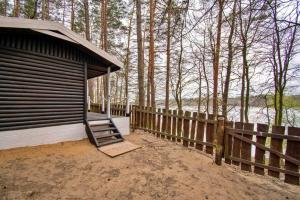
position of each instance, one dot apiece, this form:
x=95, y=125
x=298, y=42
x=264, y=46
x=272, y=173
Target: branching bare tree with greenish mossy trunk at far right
x=284, y=40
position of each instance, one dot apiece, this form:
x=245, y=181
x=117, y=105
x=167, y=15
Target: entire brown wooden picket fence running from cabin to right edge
x=275, y=152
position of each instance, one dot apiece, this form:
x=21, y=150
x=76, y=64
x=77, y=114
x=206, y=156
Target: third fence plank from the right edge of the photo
x=260, y=153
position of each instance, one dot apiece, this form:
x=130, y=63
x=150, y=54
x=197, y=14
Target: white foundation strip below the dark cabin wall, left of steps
x=39, y=136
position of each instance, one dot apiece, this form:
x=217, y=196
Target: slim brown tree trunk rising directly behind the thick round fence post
x=229, y=62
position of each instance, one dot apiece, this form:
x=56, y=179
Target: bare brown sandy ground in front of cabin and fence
x=158, y=170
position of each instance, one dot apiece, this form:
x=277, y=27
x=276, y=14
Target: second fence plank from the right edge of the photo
x=276, y=144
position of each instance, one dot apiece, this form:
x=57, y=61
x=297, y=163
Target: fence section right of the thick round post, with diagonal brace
x=273, y=158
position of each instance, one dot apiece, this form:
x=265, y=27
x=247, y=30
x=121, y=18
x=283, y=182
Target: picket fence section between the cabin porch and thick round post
x=192, y=129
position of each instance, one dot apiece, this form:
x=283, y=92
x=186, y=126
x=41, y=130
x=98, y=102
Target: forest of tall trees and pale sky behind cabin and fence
x=236, y=58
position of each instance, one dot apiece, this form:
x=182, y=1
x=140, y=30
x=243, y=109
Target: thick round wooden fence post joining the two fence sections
x=220, y=141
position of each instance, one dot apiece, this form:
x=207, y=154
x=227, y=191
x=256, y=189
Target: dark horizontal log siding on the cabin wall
x=41, y=82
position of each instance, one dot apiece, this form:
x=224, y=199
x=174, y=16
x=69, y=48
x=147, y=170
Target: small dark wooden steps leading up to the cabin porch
x=103, y=132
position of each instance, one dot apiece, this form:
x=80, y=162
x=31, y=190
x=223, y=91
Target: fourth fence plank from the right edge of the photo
x=246, y=148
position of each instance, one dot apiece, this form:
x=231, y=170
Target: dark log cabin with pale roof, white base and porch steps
x=44, y=68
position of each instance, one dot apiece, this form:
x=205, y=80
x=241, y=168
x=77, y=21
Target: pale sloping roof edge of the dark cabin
x=57, y=30
